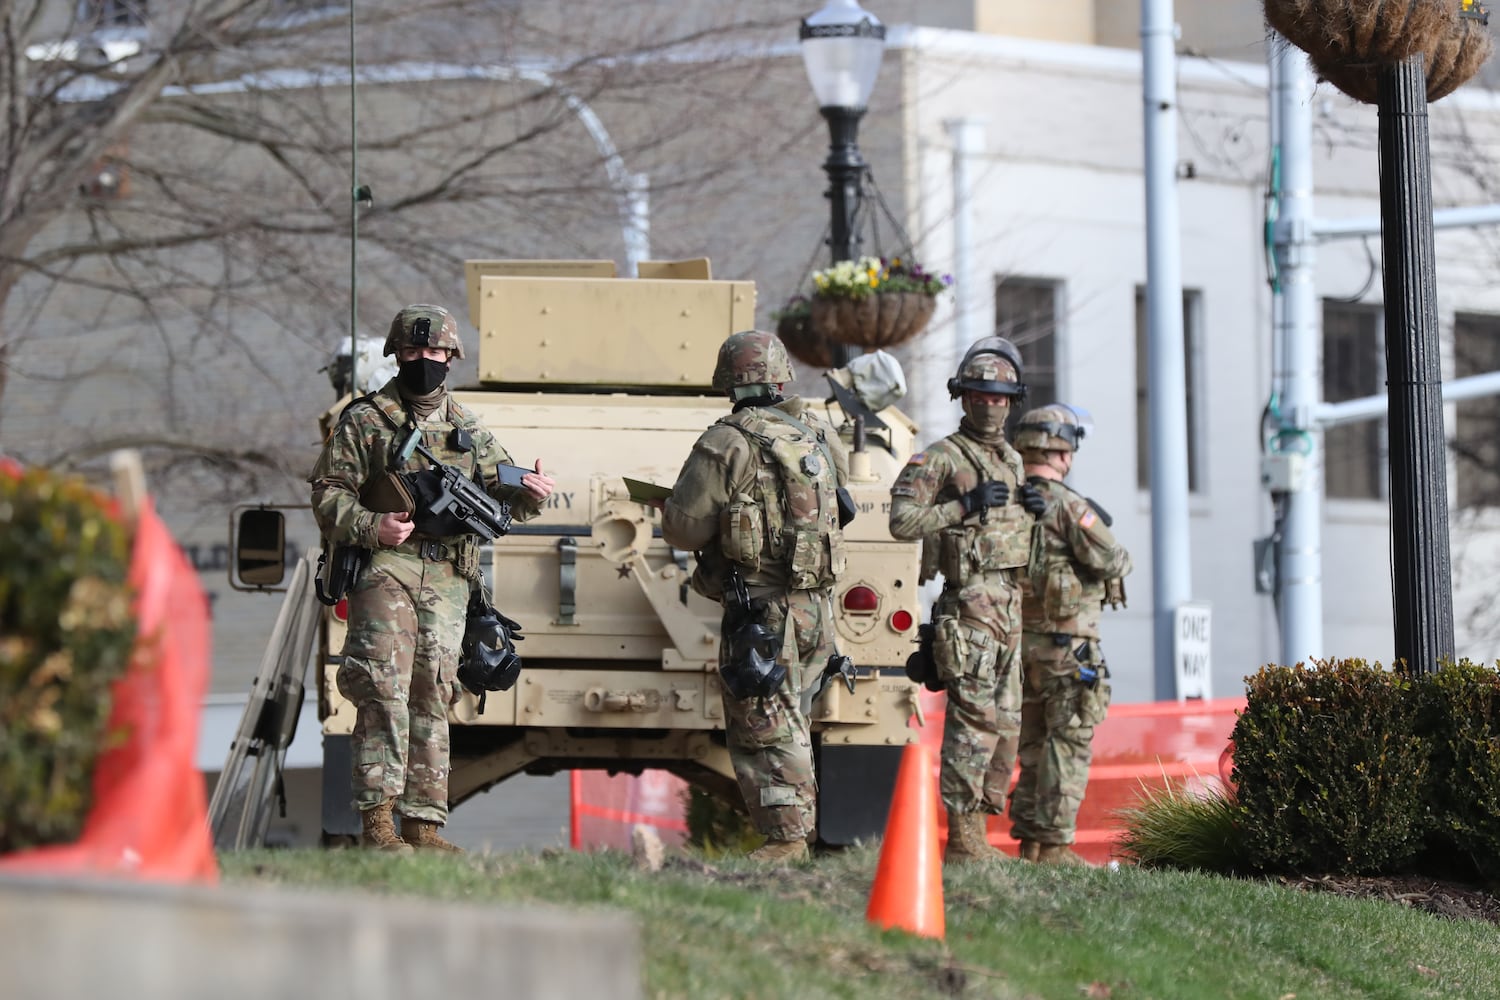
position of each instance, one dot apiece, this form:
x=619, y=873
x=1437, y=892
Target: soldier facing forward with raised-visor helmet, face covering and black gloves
x=968, y=500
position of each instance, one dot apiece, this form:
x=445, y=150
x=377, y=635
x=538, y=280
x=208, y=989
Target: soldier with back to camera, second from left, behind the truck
x=760, y=493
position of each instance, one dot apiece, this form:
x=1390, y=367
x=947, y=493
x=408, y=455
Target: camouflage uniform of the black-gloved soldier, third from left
x=979, y=617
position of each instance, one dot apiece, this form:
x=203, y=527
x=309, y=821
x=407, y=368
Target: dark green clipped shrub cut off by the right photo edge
x=1462, y=722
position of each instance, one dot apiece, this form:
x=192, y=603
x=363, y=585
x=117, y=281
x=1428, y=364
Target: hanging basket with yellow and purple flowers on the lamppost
x=874, y=304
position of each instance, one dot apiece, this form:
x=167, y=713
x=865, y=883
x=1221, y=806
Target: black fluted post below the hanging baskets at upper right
x=1421, y=570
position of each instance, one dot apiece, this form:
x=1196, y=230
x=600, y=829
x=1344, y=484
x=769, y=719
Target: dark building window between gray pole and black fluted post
x=1354, y=368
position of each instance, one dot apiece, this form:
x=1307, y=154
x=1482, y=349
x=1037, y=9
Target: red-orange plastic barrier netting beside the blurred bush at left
x=149, y=816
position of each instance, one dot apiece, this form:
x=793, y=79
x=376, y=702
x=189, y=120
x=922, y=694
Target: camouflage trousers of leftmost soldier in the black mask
x=401, y=672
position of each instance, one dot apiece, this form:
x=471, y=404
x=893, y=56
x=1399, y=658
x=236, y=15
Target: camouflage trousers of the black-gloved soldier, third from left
x=979, y=660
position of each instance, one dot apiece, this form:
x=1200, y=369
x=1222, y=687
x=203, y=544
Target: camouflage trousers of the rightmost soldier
x=1058, y=717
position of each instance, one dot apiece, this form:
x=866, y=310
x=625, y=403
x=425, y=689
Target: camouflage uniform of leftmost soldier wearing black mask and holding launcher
x=407, y=611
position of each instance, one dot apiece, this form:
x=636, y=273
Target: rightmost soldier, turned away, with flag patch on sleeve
x=1076, y=569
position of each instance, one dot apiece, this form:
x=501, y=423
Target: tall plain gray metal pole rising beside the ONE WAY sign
x=1172, y=569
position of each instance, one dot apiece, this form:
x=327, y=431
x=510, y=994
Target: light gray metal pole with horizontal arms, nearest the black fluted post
x=1300, y=555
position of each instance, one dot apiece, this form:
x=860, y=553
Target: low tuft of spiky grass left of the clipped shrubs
x=1175, y=828
